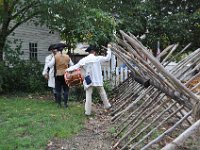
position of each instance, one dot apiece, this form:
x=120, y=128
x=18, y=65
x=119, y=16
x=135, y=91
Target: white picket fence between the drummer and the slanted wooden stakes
x=116, y=76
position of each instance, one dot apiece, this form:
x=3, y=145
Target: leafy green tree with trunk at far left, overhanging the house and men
x=69, y=17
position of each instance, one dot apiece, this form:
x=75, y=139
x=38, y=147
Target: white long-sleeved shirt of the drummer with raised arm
x=92, y=66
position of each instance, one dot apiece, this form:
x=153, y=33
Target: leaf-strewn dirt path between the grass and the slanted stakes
x=95, y=136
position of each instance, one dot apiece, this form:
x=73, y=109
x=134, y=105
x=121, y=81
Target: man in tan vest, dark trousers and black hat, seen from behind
x=60, y=62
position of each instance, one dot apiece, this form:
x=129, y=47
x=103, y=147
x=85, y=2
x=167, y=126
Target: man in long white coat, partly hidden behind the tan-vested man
x=47, y=72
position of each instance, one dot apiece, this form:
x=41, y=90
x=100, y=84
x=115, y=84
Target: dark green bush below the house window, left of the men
x=24, y=76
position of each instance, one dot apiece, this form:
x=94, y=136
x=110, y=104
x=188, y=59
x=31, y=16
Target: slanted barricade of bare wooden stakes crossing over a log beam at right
x=153, y=106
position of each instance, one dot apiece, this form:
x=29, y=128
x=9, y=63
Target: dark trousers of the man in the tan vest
x=59, y=85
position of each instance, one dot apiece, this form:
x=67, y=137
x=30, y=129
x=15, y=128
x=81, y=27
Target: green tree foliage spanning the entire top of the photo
x=95, y=21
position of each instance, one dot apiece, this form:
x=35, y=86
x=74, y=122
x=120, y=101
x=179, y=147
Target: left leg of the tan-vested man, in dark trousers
x=58, y=90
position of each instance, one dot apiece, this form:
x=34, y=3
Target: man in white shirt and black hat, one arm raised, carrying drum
x=91, y=65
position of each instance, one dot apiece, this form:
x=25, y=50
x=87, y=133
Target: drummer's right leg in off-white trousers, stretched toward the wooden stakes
x=104, y=97
